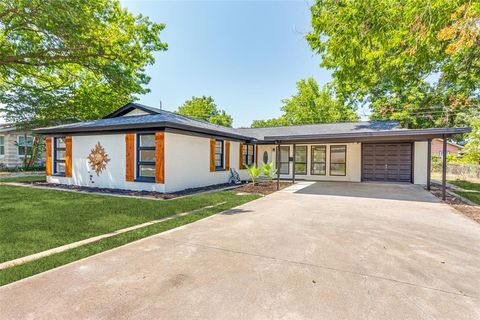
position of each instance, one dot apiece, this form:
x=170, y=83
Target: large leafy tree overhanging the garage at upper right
x=415, y=61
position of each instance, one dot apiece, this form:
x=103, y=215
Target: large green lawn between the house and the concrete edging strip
x=34, y=220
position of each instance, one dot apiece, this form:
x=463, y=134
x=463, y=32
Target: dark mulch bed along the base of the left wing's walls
x=148, y=194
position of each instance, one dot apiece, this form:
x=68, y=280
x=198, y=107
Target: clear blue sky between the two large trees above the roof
x=247, y=55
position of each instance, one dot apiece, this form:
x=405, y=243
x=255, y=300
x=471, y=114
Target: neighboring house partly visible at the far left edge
x=12, y=146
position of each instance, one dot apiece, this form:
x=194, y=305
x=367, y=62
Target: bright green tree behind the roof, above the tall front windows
x=310, y=105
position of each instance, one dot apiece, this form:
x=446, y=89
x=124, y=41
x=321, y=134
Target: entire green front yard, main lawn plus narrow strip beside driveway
x=34, y=220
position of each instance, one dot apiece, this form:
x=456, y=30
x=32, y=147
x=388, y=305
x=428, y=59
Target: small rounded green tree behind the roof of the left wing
x=204, y=108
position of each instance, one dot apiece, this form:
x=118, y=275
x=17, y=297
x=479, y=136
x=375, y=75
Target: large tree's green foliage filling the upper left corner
x=74, y=59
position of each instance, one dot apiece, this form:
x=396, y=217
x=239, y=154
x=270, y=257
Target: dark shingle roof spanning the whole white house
x=164, y=119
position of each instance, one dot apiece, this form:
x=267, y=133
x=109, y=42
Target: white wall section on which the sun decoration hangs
x=114, y=174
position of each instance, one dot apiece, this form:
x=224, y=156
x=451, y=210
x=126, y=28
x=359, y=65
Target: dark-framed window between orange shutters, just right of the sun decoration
x=146, y=157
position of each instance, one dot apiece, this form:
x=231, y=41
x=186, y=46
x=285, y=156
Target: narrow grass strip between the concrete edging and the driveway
x=34, y=267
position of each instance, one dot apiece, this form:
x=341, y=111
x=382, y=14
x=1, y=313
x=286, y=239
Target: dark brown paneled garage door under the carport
x=390, y=162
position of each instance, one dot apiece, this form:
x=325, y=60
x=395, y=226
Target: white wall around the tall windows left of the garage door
x=353, y=163
